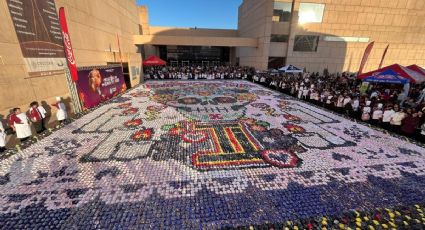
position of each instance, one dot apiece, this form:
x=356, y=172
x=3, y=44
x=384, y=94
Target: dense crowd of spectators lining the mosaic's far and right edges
x=382, y=105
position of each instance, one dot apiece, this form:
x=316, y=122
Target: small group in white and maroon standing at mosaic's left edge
x=22, y=123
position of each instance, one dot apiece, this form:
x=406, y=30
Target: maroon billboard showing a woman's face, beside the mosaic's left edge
x=98, y=84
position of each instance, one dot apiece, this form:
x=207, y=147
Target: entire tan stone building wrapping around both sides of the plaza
x=313, y=34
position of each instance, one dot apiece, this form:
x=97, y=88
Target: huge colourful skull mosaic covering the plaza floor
x=206, y=154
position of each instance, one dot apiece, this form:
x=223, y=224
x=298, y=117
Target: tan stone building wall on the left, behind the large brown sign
x=93, y=27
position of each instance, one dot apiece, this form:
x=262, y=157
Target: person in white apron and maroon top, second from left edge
x=21, y=125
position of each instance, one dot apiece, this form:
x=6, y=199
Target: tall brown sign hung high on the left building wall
x=38, y=30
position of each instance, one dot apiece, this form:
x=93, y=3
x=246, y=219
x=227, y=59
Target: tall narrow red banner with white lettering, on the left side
x=67, y=45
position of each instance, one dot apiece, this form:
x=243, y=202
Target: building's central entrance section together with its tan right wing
x=314, y=34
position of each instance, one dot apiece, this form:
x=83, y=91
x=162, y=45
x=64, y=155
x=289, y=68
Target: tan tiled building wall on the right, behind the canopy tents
x=398, y=23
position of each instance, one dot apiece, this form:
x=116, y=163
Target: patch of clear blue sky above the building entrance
x=217, y=14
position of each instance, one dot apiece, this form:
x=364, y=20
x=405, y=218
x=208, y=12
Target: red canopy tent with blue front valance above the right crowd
x=393, y=74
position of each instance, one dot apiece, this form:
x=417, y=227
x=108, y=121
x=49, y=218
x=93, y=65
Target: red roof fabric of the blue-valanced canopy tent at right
x=404, y=72
